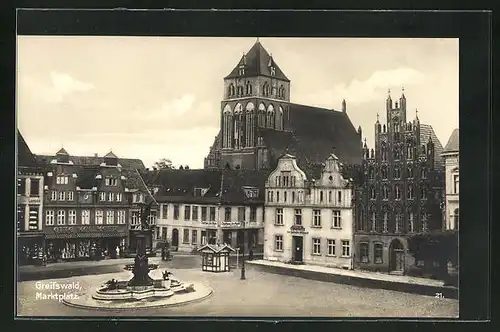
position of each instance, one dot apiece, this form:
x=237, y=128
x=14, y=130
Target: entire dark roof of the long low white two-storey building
x=223, y=186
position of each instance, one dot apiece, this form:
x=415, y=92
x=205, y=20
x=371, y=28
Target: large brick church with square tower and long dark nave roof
x=259, y=123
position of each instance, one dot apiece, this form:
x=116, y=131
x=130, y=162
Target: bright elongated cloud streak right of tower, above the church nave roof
x=358, y=92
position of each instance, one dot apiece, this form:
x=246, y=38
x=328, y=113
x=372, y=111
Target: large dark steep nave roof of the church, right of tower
x=315, y=134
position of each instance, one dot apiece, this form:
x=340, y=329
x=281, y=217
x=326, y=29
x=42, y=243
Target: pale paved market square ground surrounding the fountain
x=261, y=294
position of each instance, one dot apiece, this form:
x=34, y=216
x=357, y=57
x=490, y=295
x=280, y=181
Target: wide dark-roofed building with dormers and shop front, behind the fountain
x=92, y=210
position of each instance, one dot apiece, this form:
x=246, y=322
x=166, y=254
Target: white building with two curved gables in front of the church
x=309, y=220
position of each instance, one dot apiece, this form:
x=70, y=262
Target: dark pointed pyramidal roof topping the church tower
x=257, y=63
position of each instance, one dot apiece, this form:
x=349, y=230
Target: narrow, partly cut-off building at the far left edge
x=29, y=199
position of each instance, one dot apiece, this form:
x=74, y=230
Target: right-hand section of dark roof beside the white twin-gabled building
x=235, y=181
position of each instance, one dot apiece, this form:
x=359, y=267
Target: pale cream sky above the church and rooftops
x=160, y=97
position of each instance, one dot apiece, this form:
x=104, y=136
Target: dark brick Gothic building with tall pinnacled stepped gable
x=401, y=190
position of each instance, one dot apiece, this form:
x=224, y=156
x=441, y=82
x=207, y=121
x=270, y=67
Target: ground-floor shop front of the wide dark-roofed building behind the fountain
x=94, y=242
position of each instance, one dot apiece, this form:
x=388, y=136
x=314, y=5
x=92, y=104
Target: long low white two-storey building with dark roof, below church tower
x=200, y=207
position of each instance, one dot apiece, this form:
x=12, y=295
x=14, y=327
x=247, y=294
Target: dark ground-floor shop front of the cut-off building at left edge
x=30, y=248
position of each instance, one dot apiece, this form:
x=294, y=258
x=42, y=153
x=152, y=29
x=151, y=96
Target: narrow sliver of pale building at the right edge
x=452, y=172
